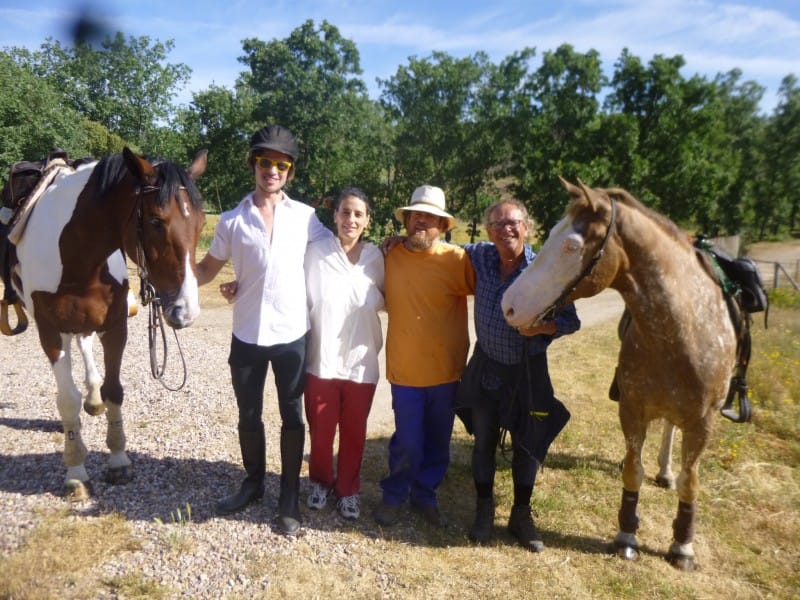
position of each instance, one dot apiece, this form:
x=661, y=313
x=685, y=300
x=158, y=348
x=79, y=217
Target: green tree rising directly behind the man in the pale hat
x=442, y=116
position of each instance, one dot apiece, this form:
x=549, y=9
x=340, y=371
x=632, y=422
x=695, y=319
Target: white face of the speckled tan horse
x=559, y=262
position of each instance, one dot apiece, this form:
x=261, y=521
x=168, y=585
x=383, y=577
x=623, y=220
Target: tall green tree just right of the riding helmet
x=310, y=83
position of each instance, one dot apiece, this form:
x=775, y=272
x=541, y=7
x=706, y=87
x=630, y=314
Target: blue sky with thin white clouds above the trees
x=762, y=38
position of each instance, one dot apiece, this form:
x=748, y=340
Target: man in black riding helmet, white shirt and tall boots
x=266, y=237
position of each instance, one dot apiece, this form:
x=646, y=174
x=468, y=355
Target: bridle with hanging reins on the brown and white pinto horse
x=149, y=297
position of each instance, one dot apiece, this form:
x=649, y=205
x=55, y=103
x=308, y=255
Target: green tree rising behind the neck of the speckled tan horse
x=685, y=161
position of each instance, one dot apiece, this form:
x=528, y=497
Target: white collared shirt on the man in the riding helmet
x=270, y=306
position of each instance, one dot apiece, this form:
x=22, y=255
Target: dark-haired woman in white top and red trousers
x=344, y=284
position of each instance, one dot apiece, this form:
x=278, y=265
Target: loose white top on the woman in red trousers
x=343, y=302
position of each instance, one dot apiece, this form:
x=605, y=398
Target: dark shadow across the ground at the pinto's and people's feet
x=163, y=487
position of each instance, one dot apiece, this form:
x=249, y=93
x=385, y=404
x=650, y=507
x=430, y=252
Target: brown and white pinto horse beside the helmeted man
x=72, y=277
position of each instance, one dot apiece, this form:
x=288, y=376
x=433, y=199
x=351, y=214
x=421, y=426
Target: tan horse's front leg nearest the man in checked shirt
x=634, y=429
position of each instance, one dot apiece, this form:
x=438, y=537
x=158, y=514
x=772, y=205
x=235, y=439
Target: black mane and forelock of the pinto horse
x=112, y=169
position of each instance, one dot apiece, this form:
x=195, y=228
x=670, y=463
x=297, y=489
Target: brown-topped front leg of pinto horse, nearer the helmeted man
x=120, y=467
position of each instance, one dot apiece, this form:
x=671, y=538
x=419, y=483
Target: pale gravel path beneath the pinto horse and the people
x=184, y=450
